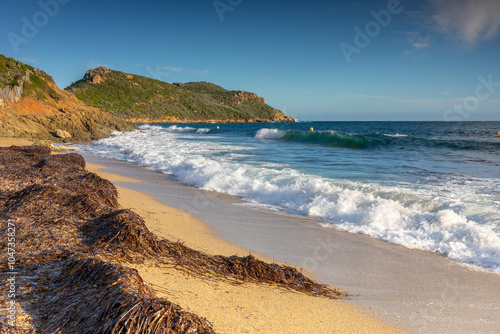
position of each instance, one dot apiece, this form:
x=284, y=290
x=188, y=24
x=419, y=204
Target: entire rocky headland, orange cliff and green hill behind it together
x=32, y=106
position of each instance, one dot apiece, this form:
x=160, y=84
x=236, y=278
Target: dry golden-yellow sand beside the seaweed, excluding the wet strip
x=231, y=306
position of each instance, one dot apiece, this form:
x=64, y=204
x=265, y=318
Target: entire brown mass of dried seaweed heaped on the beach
x=75, y=246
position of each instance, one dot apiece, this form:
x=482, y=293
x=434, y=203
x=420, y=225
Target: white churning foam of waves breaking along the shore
x=447, y=218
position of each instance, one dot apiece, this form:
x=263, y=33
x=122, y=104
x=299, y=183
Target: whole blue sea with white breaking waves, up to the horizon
x=427, y=185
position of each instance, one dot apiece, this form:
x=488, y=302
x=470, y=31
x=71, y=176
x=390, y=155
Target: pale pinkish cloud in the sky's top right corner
x=471, y=21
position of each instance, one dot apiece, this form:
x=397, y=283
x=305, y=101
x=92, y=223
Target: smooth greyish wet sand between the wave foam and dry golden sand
x=417, y=290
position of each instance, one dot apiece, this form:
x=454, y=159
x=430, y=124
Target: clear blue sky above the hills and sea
x=315, y=60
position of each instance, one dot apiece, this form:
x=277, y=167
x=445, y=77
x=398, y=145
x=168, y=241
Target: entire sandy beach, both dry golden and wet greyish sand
x=391, y=287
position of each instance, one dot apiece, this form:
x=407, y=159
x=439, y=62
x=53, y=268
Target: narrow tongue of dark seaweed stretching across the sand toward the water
x=124, y=232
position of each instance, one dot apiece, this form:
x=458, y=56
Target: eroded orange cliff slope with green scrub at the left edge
x=32, y=106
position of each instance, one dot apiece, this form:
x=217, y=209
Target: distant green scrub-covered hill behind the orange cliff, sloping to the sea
x=142, y=99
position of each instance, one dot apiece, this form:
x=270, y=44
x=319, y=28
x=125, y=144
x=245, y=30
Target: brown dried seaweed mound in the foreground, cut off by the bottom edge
x=114, y=299
